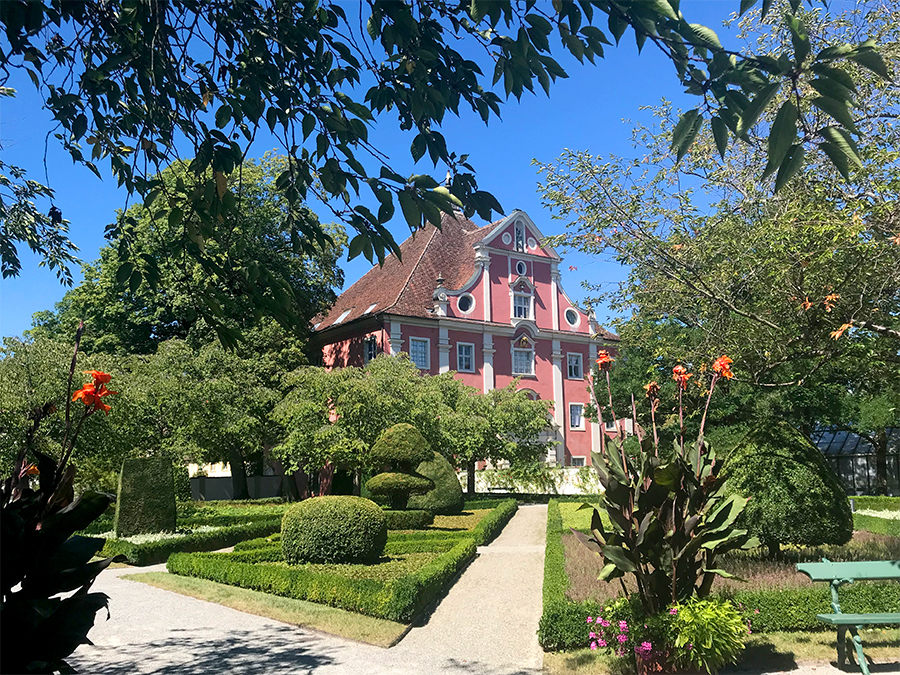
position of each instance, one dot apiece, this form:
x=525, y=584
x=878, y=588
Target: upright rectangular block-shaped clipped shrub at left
x=146, y=498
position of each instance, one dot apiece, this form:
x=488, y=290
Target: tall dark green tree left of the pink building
x=125, y=318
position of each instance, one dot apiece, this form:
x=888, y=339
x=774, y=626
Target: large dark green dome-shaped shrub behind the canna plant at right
x=795, y=497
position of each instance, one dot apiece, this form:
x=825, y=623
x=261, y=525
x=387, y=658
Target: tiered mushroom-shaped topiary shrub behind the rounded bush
x=402, y=448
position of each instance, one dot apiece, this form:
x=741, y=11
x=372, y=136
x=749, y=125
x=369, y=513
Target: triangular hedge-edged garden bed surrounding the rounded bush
x=416, y=568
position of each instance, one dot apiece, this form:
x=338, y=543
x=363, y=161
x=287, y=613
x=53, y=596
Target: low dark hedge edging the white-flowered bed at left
x=153, y=552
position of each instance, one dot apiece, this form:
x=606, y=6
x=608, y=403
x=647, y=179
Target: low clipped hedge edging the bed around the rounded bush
x=397, y=600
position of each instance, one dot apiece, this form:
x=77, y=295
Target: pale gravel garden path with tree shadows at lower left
x=486, y=624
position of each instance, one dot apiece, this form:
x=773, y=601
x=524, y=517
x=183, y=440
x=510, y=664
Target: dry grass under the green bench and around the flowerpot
x=766, y=652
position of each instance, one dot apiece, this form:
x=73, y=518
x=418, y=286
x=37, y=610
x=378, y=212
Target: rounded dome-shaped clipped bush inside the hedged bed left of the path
x=333, y=529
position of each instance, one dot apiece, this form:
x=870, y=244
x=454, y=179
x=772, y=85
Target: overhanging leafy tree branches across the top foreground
x=141, y=84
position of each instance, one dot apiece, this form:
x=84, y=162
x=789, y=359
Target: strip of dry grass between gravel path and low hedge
x=379, y=632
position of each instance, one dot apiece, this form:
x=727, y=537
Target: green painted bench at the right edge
x=840, y=573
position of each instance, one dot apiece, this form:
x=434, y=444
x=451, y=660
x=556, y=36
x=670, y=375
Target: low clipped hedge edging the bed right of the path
x=562, y=624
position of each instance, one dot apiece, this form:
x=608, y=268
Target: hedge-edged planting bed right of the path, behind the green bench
x=774, y=598
